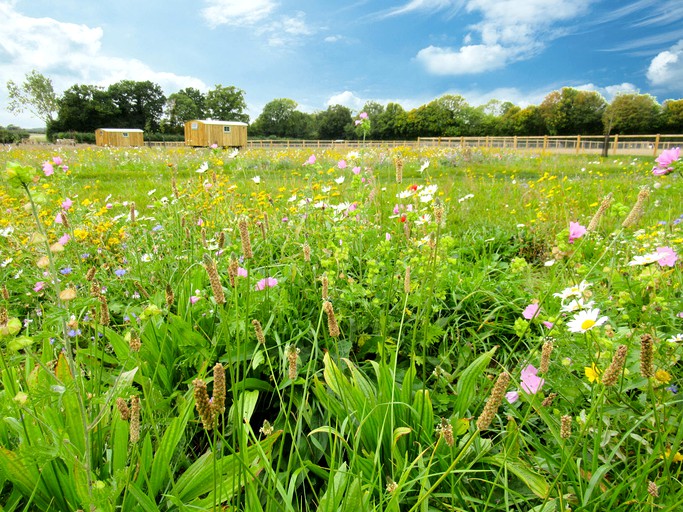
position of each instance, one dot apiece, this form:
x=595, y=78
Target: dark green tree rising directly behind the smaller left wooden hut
x=139, y=104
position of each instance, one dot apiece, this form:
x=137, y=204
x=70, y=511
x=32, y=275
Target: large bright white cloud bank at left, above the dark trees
x=68, y=53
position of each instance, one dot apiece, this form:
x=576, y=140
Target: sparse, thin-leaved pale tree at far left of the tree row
x=36, y=94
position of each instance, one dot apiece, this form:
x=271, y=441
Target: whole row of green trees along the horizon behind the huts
x=142, y=104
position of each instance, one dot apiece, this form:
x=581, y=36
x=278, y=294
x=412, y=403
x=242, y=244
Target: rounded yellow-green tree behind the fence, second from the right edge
x=632, y=114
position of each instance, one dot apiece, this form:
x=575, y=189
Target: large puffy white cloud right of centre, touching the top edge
x=510, y=30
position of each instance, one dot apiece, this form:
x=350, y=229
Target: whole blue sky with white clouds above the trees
x=320, y=53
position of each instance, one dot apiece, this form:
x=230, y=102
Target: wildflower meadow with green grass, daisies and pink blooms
x=390, y=330
